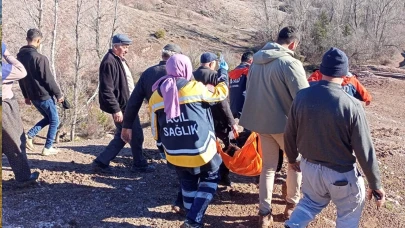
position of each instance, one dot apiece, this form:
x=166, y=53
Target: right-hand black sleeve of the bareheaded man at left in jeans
x=49, y=80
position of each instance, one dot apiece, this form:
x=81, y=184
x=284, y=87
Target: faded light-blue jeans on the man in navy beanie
x=320, y=187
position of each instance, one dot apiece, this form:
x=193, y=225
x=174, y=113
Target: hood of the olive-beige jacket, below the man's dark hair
x=271, y=51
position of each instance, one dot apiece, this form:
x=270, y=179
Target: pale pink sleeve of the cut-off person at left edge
x=12, y=69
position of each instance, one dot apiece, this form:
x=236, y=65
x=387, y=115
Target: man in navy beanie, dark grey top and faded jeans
x=327, y=124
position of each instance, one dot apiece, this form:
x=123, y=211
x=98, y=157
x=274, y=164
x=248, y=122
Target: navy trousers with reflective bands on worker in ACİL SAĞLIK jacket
x=198, y=191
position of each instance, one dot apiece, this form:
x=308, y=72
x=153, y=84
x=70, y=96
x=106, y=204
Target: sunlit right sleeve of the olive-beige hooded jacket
x=295, y=77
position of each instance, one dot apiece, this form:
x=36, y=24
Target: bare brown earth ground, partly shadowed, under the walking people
x=69, y=194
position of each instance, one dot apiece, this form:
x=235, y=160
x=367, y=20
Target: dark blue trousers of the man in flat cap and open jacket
x=116, y=145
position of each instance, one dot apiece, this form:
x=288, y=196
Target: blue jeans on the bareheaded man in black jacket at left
x=48, y=110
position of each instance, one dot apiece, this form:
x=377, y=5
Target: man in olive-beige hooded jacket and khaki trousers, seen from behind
x=274, y=79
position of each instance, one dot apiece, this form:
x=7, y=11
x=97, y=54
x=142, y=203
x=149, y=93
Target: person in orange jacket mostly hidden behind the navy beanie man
x=350, y=84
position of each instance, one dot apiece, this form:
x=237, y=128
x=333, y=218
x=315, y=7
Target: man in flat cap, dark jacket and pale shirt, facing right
x=116, y=84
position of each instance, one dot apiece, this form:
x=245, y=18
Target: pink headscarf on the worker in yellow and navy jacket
x=177, y=66
